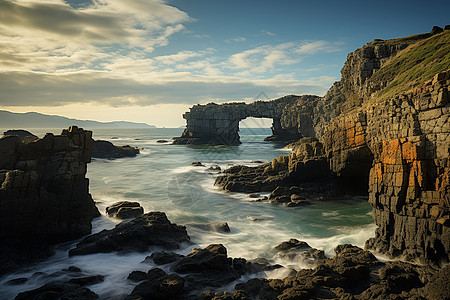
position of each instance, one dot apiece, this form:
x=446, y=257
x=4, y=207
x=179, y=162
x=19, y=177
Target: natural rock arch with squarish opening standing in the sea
x=219, y=124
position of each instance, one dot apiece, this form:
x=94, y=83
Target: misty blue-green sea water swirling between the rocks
x=160, y=178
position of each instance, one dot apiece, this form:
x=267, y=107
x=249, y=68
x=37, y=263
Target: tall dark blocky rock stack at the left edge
x=44, y=194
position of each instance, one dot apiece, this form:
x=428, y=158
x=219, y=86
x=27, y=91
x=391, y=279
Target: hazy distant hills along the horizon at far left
x=37, y=120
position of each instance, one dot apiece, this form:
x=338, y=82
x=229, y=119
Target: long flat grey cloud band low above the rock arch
x=28, y=88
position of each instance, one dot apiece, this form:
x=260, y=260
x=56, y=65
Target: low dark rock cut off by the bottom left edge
x=66, y=291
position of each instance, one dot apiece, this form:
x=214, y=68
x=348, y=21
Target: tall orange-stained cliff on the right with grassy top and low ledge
x=383, y=129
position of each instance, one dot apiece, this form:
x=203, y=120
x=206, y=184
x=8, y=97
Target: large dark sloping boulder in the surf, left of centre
x=151, y=229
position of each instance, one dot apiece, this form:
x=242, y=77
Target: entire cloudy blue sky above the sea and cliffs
x=150, y=60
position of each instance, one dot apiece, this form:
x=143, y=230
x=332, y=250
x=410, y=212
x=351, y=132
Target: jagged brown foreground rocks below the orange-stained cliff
x=352, y=274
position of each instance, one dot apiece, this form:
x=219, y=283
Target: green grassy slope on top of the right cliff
x=414, y=65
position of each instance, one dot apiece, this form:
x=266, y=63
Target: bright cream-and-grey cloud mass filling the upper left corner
x=51, y=35
